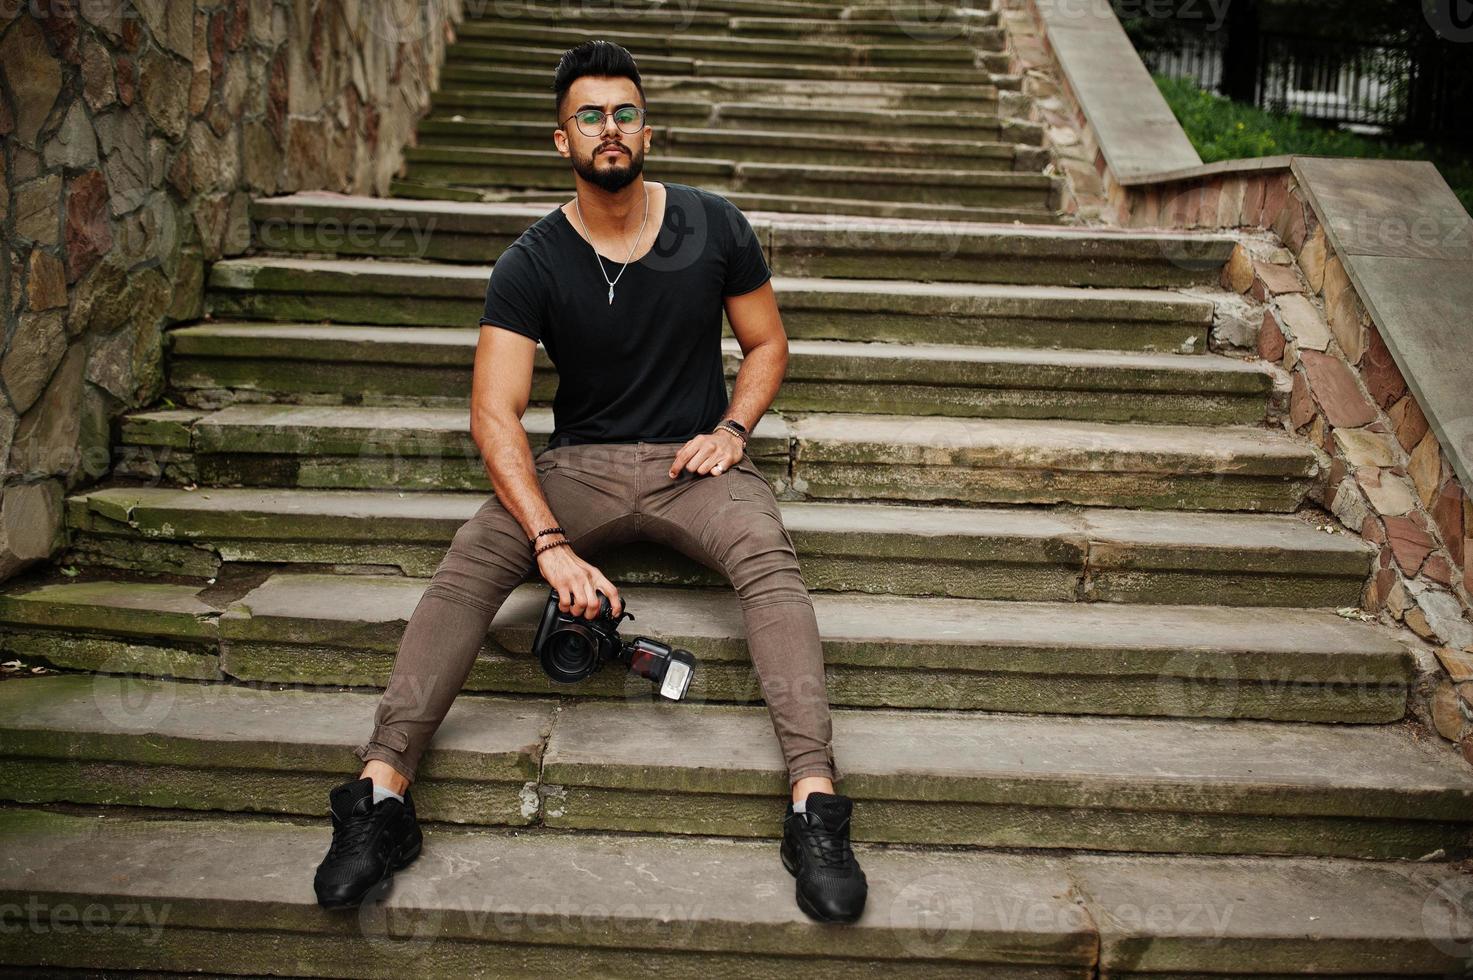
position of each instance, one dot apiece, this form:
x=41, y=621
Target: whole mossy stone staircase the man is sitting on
x=1100, y=687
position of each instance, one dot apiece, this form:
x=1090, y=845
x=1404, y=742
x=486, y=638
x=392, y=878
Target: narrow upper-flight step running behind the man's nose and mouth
x=756, y=147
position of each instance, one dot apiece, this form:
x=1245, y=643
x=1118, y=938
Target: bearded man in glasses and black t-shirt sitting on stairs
x=644, y=447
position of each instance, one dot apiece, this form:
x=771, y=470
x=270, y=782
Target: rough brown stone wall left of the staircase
x=135, y=136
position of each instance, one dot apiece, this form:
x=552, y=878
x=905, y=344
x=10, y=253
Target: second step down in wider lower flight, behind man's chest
x=814, y=309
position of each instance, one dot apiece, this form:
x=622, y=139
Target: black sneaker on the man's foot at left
x=370, y=842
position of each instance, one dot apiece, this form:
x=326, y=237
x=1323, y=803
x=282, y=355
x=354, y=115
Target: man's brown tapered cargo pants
x=603, y=496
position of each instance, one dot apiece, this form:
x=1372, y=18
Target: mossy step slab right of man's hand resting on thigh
x=840, y=456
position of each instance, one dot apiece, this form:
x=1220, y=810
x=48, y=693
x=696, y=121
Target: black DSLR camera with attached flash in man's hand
x=572, y=648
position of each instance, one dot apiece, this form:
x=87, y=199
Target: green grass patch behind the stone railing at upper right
x=1223, y=130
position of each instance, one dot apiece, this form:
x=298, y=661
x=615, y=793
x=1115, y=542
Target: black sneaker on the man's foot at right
x=817, y=853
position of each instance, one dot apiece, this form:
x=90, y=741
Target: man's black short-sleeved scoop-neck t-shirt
x=649, y=366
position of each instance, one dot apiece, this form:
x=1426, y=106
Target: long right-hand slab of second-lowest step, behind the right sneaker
x=1024, y=780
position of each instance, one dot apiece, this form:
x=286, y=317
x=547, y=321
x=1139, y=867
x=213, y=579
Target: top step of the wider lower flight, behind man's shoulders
x=795, y=245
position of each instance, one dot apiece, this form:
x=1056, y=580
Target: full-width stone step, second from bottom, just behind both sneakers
x=1004, y=780
